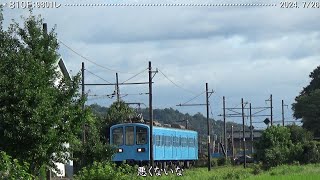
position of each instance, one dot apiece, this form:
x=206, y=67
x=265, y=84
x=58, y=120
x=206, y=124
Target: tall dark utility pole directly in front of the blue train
x=150, y=116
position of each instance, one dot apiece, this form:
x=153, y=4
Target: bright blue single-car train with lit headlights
x=170, y=145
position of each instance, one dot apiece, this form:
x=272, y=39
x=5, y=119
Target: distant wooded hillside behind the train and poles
x=197, y=122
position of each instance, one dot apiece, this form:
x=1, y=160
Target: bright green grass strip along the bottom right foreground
x=285, y=172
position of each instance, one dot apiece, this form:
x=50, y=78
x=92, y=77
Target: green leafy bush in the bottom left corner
x=11, y=169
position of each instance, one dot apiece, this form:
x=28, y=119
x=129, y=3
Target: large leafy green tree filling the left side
x=39, y=109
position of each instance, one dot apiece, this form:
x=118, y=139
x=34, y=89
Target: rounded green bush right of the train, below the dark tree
x=279, y=145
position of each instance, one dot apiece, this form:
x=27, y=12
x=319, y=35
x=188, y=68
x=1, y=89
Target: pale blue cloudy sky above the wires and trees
x=241, y=51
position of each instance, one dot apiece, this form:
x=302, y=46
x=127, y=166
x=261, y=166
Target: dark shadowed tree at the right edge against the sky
x=307, y=105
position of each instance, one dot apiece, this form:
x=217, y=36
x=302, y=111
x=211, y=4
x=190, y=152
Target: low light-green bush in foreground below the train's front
x=106, y=170
